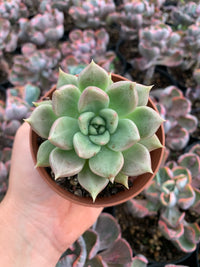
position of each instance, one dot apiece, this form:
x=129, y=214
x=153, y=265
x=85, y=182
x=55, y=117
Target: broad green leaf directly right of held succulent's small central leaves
x=125, y=136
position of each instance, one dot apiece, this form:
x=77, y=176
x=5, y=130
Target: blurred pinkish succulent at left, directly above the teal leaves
x=36, y=66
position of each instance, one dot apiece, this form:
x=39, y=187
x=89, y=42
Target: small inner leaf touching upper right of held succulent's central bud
x=111, y=118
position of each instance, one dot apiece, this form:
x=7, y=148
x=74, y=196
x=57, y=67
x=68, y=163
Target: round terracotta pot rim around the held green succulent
x=139, y=182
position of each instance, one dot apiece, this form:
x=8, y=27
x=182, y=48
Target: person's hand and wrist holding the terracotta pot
x=37, y=218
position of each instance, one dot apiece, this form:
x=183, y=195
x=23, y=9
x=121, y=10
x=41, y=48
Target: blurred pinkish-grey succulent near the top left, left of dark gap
x=42, y=28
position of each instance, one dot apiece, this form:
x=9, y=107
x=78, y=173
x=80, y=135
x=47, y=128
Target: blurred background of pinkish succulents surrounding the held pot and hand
x=154, y=42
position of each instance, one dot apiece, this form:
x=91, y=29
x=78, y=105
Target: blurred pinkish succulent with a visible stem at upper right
x=158, y=45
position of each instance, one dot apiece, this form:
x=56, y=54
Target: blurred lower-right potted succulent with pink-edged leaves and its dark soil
x=170, y=201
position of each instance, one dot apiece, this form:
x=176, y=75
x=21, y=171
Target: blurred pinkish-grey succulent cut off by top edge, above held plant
x=91, y=13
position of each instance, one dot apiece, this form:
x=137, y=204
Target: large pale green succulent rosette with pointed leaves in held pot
x=96, y=129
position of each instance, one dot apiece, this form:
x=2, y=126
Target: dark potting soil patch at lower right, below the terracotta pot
x=145, y=238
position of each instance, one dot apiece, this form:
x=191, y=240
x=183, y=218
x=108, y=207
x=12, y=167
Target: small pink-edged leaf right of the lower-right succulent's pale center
x=186, y=197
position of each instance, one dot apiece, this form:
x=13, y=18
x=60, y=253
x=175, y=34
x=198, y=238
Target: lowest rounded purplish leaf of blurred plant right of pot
x=177, y=138
